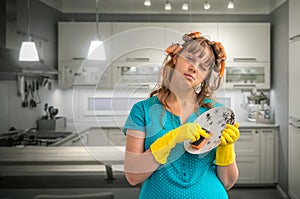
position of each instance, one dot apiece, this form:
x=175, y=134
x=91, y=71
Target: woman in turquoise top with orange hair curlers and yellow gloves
x=156, y=128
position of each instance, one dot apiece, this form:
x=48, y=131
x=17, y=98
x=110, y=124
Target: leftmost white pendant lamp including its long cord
x=28, y=51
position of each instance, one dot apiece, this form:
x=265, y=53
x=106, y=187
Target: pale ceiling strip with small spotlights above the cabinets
x=157, y=6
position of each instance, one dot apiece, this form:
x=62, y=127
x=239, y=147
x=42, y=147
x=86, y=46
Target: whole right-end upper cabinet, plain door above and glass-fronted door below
x=247, y=47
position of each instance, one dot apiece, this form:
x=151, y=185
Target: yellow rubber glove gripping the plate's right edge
x=225, y=154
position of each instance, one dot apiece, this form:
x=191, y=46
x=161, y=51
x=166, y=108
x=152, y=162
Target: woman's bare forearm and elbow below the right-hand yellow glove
x=228, y=175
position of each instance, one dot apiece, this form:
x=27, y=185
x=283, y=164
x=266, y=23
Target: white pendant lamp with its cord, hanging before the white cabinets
x=96, y=50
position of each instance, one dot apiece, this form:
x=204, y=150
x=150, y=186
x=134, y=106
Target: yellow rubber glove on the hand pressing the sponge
x=161, y=148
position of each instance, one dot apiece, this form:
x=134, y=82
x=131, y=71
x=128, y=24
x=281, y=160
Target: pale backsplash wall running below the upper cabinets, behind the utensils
x=69, y=103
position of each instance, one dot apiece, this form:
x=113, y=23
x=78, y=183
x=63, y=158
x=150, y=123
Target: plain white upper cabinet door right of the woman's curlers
x=246, y=41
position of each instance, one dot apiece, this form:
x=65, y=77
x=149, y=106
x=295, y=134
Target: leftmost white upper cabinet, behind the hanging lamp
x=74, y=40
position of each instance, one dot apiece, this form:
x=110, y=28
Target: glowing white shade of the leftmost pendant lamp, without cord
x=28, y=52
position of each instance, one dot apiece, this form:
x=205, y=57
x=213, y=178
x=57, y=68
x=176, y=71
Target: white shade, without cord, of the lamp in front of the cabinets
x=96, y=51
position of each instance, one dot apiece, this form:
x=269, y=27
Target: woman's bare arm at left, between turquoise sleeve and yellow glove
x=138, y=164
